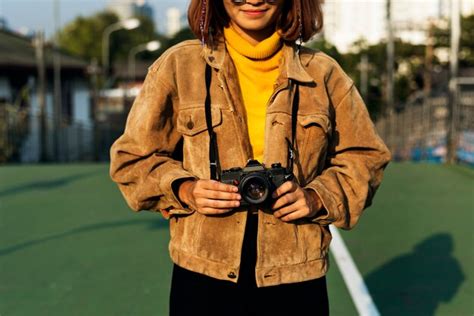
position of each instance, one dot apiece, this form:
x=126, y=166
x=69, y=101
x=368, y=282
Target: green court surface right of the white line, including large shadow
x=414, y=246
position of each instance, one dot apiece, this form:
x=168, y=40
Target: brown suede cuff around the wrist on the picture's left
x=173, y=203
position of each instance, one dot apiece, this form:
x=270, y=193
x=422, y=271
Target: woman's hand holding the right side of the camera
x=294, y=202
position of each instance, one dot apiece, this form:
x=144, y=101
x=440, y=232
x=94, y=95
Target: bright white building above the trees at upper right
x=347, y=21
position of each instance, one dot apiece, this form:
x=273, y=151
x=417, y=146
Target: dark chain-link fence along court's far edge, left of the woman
x=26, y=138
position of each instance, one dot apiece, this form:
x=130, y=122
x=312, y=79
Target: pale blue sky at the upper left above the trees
x=34, y=15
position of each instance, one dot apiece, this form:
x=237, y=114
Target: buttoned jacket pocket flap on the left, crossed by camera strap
x=193, y=121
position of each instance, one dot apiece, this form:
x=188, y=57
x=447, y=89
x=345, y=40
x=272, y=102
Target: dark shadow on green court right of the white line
x=416, y=283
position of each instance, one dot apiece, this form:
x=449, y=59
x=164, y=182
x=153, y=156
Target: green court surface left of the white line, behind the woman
x=70, y=246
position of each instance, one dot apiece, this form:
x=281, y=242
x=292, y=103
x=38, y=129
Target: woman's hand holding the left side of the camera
x=209, y=197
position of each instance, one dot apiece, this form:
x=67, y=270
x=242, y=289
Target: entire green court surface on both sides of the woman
x=70, y=246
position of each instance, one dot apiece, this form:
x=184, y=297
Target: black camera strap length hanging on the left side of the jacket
x=213, y=153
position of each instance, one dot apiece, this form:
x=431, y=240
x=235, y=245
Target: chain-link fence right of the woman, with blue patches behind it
x=419, y=132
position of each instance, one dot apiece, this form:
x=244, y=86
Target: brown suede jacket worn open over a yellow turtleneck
x=339, y=156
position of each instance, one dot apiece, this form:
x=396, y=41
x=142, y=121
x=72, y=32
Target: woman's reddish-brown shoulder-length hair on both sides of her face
x=216, y=19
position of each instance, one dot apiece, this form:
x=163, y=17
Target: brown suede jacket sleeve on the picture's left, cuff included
x=141, y=159
